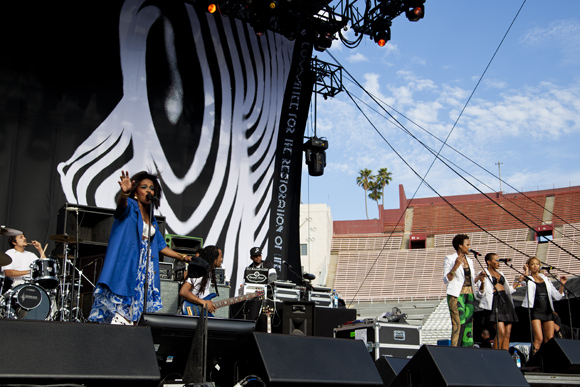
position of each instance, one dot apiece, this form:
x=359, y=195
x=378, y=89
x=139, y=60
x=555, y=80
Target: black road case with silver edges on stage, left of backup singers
x=383, y=338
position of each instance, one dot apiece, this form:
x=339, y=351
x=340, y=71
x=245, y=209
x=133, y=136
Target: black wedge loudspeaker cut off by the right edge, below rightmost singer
x=558, y=356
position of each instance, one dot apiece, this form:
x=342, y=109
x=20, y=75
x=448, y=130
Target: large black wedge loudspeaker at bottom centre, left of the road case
x=285, y=360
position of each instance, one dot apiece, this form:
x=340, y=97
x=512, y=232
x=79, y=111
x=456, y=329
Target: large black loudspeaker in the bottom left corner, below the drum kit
x=50, y=352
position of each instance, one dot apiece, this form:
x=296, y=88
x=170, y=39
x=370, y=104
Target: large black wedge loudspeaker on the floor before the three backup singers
x=458, y=366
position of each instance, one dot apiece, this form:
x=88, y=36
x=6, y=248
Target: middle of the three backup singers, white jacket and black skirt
x=501, y=307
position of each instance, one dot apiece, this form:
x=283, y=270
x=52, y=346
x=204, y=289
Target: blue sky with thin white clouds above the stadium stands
x=525, y=112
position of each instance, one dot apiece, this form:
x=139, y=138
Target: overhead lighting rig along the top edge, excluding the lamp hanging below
x=320, y=21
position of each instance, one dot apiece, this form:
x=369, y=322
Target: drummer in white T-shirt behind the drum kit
x=21, y=259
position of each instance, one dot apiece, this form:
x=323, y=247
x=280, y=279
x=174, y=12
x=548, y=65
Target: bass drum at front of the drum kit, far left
x=29, y=302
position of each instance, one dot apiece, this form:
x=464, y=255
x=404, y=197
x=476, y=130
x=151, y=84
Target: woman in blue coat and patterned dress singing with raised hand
x=119, y=294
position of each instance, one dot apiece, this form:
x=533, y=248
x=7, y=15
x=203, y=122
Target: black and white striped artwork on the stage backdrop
x=201, y=104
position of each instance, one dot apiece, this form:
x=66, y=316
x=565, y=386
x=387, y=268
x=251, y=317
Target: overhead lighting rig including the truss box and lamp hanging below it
x=320, y=22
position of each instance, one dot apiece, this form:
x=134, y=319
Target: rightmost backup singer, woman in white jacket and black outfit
x=539, y=295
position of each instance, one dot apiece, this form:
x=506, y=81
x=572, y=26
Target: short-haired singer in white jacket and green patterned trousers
x=458, y=275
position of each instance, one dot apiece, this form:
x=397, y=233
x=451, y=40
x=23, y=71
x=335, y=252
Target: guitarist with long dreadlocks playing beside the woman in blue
x=195, y=289
